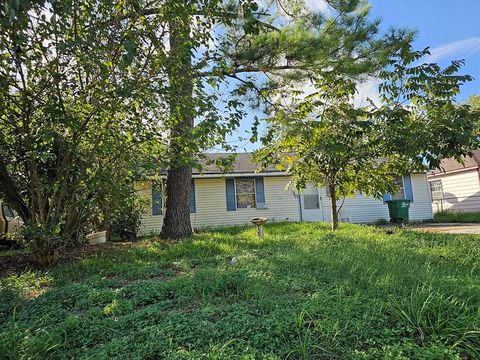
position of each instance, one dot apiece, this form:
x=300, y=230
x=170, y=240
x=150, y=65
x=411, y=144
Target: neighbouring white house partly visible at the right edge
x=457, y=186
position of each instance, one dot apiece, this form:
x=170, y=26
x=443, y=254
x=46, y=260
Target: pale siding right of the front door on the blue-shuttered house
x=362, y=209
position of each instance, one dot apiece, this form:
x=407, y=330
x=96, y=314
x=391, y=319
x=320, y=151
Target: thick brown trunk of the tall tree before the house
x=176, y=222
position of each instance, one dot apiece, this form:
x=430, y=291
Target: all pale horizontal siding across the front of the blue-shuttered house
x=282, y=205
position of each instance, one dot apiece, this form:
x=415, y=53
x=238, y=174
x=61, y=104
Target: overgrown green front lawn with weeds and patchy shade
x=303, y=292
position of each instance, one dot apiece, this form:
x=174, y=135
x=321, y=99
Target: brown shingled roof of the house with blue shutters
x=244, y=164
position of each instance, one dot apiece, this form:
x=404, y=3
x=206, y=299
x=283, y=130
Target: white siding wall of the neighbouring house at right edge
x=461, y=191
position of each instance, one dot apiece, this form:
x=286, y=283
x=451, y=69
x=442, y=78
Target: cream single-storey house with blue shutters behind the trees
x=236, y=197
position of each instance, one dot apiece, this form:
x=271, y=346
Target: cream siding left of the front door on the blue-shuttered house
x=211, y=205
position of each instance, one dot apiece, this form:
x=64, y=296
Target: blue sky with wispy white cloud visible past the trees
x=450, y=28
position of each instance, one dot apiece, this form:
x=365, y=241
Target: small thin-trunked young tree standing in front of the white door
x=323, y=138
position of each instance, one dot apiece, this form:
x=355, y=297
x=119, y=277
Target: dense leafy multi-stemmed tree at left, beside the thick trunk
x=78, y=115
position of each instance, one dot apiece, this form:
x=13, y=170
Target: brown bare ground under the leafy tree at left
x=18, y=261
